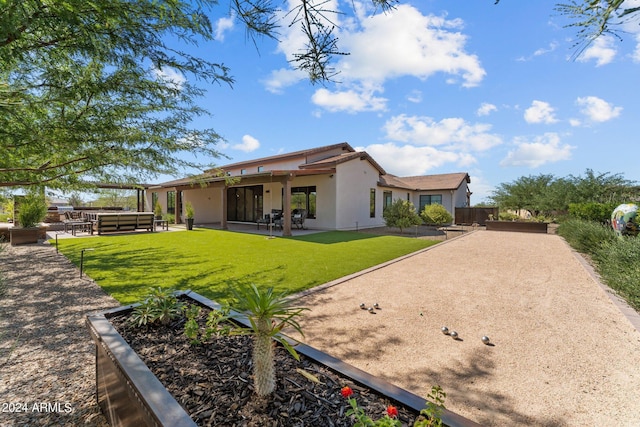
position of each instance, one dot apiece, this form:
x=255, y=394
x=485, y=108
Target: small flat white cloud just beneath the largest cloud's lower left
x=351, y=101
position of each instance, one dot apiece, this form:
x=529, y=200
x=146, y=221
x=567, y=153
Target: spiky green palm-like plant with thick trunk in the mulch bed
x=268, y=313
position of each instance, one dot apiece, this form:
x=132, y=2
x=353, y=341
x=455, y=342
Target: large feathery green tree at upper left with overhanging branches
x=86, y=92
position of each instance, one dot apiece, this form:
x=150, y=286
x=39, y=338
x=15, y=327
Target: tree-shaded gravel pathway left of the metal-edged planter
x=47, y=358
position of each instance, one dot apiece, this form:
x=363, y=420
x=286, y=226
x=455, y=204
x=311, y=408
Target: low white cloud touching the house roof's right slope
x=409, y=160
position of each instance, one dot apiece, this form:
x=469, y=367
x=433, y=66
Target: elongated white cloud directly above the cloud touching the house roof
x=453, y=133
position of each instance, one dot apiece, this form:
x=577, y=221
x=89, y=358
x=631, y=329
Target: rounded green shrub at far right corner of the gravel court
x=586, y=236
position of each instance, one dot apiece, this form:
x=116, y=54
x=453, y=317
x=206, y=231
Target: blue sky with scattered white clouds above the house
x=438, y=86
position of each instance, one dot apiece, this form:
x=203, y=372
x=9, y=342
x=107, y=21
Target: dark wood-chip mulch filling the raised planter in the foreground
x=213, y=382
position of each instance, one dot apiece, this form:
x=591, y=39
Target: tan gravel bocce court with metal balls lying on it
x=563, y=354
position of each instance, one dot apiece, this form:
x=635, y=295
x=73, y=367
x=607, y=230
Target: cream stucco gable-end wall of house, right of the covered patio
x=355, y=179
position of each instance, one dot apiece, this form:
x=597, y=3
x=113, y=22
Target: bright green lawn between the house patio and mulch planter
x=210, y=262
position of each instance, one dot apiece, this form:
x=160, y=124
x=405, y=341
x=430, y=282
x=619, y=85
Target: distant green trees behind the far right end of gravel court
x=545, y=194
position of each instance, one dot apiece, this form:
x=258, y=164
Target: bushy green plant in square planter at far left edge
x=32, y=210
